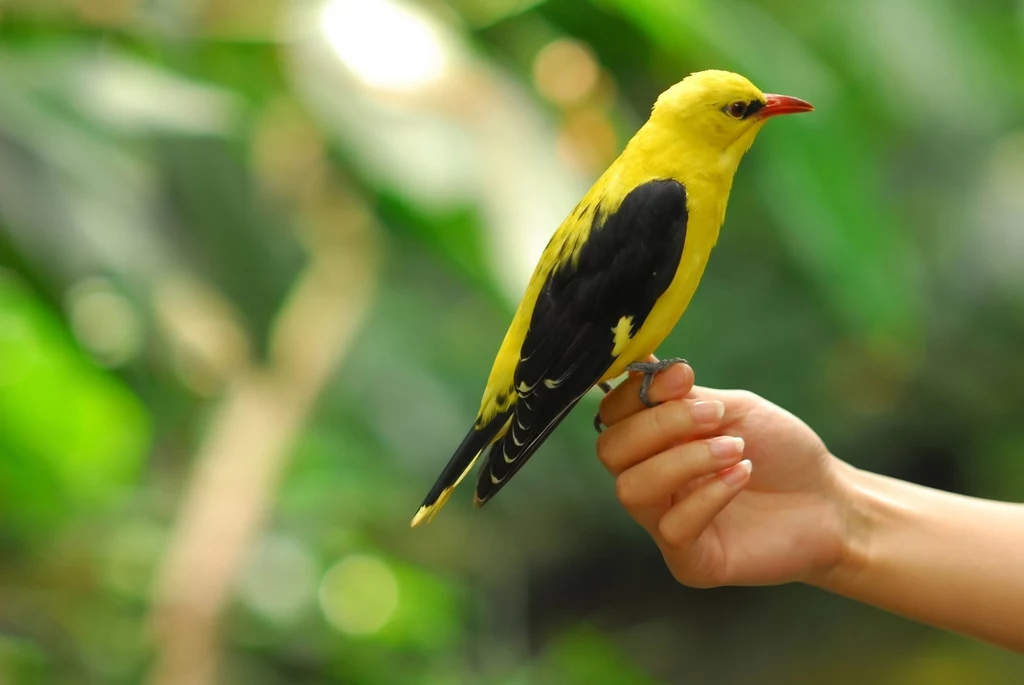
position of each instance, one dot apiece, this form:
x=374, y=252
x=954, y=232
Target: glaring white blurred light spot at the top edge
x=385, y=44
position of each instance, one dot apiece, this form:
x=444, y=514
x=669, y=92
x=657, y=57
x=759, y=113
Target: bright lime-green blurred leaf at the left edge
x=66, y=418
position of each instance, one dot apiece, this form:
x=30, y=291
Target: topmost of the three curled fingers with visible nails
x=645, y=435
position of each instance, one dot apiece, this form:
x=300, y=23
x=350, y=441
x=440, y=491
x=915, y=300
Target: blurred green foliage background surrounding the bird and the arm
x=257, y=258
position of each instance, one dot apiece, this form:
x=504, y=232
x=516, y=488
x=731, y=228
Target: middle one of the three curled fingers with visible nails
x=655, y=481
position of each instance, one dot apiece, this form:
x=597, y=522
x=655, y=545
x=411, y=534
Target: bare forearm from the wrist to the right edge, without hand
x=945, y=560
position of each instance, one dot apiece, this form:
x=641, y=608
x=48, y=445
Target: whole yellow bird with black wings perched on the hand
x=617, y=276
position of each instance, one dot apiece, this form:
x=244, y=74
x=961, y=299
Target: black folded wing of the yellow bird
x=624, y=268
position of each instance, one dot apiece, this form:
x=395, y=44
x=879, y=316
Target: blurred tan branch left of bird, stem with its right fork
x=238, y=467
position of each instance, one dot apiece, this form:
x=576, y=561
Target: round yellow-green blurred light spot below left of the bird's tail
x=360, y=594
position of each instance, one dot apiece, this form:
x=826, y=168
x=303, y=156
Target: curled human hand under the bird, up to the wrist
x=766, y=509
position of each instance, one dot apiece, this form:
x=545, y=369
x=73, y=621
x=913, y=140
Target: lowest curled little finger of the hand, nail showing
x=682, y=525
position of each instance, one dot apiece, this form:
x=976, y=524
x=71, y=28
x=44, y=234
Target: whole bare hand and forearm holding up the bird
x=777, y=507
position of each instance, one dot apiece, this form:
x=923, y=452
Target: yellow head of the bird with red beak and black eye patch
x=719, y=111
